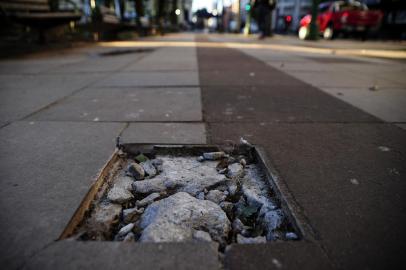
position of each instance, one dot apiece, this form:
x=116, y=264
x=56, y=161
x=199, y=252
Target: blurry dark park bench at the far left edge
x=37, y=14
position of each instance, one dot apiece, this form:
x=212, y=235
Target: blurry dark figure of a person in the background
x=263, y=9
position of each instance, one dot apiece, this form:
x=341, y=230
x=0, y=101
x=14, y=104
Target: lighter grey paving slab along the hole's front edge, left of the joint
x=67, y=255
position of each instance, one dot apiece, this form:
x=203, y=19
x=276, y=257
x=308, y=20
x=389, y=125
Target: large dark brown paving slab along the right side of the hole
x=343, y=182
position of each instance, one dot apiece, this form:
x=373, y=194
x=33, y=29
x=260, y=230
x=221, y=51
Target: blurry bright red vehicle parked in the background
x=342, y=16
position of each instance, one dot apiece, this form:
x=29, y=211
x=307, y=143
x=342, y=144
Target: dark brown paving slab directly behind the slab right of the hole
x=284, y=103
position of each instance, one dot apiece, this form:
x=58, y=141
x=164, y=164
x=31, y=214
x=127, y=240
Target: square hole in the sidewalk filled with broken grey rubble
x=170, y=193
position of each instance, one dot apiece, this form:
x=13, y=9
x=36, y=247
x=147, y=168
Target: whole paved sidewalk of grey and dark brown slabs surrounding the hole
x=331, y=116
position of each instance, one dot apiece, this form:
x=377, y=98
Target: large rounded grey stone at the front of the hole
x=174, y=219
